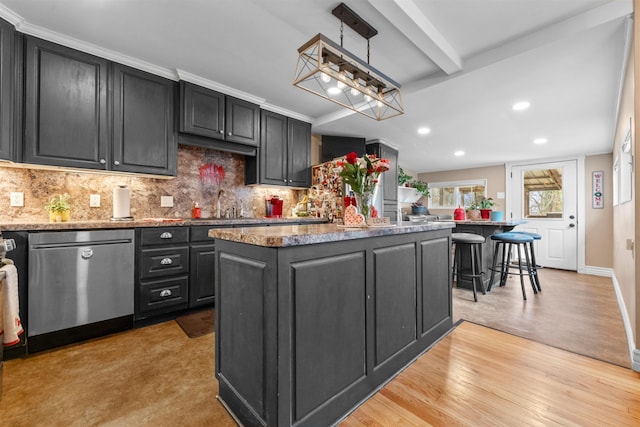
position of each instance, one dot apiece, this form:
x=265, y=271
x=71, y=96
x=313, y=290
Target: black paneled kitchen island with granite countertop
x=313, y=319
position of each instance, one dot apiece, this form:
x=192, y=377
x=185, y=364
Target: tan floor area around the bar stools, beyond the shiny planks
x=575, y=312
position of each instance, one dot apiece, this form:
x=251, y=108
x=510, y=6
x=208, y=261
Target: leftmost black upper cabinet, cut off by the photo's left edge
x=7, y=94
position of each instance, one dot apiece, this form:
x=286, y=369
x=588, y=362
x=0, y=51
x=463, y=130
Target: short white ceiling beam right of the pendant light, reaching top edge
x=416, y=27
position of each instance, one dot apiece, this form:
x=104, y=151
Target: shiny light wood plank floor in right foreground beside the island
x=477, y=376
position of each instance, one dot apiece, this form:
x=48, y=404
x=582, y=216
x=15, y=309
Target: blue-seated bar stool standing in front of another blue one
x=505, y=242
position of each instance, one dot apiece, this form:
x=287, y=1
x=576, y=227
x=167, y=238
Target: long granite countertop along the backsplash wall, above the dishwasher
x=146, y=222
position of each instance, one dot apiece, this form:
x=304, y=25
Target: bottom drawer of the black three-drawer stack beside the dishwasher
x=159, y=294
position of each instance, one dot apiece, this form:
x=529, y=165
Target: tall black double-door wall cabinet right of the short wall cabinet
x=284, y=155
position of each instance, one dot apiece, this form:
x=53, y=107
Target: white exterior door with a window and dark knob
x=545, y=195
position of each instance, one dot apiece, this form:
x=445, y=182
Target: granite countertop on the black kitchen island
x=297, y=235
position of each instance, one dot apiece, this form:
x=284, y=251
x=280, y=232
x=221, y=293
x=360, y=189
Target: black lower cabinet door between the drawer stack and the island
x=202, y=269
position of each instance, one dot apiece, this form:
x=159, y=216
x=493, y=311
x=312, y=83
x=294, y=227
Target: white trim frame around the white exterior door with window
x=580, y=199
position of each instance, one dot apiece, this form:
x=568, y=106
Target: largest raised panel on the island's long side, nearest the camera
x=328, y=328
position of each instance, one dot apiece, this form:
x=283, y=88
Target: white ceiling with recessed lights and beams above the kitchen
x=461, y=64
